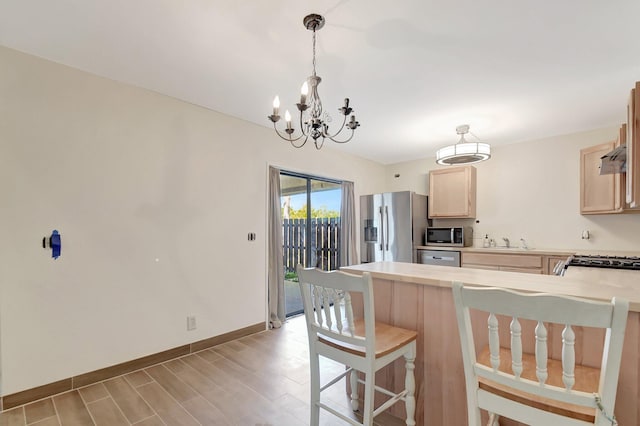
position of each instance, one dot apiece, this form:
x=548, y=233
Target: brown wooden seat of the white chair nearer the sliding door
x=388, y=339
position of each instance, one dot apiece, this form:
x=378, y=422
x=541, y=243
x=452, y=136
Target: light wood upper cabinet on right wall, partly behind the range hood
x=599, y=194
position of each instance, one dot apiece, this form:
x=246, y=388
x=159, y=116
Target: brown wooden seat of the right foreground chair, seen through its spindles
x=586, y=381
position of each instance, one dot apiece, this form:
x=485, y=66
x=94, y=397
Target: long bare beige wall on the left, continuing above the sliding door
x=153, y=198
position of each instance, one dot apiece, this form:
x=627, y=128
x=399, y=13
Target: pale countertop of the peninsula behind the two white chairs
x=594, y=286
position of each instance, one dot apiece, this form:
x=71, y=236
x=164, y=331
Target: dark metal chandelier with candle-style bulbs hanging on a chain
x=314, y=122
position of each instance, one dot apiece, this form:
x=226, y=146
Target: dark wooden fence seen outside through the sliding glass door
x=325, y=243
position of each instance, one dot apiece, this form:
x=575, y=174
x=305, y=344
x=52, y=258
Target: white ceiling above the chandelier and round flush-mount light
x=414, y=69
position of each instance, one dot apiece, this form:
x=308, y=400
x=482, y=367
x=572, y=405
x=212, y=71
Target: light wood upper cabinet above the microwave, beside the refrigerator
x=452, y=192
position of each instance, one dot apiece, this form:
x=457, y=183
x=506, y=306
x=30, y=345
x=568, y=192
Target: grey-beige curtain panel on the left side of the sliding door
x=276, y=264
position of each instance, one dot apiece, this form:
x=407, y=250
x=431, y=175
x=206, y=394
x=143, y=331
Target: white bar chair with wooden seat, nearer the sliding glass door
x=361, y=344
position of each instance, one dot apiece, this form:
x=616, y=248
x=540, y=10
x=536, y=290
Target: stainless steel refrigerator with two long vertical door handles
x=391, y=225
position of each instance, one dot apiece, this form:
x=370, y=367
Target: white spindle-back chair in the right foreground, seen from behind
x=530, y=388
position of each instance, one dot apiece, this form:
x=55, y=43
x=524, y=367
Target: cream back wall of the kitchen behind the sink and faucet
x=531, y=190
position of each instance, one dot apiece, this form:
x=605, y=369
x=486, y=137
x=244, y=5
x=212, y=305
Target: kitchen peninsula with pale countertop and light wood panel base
x=419, y=297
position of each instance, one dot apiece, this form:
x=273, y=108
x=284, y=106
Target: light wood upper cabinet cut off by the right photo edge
x=633, y=149
